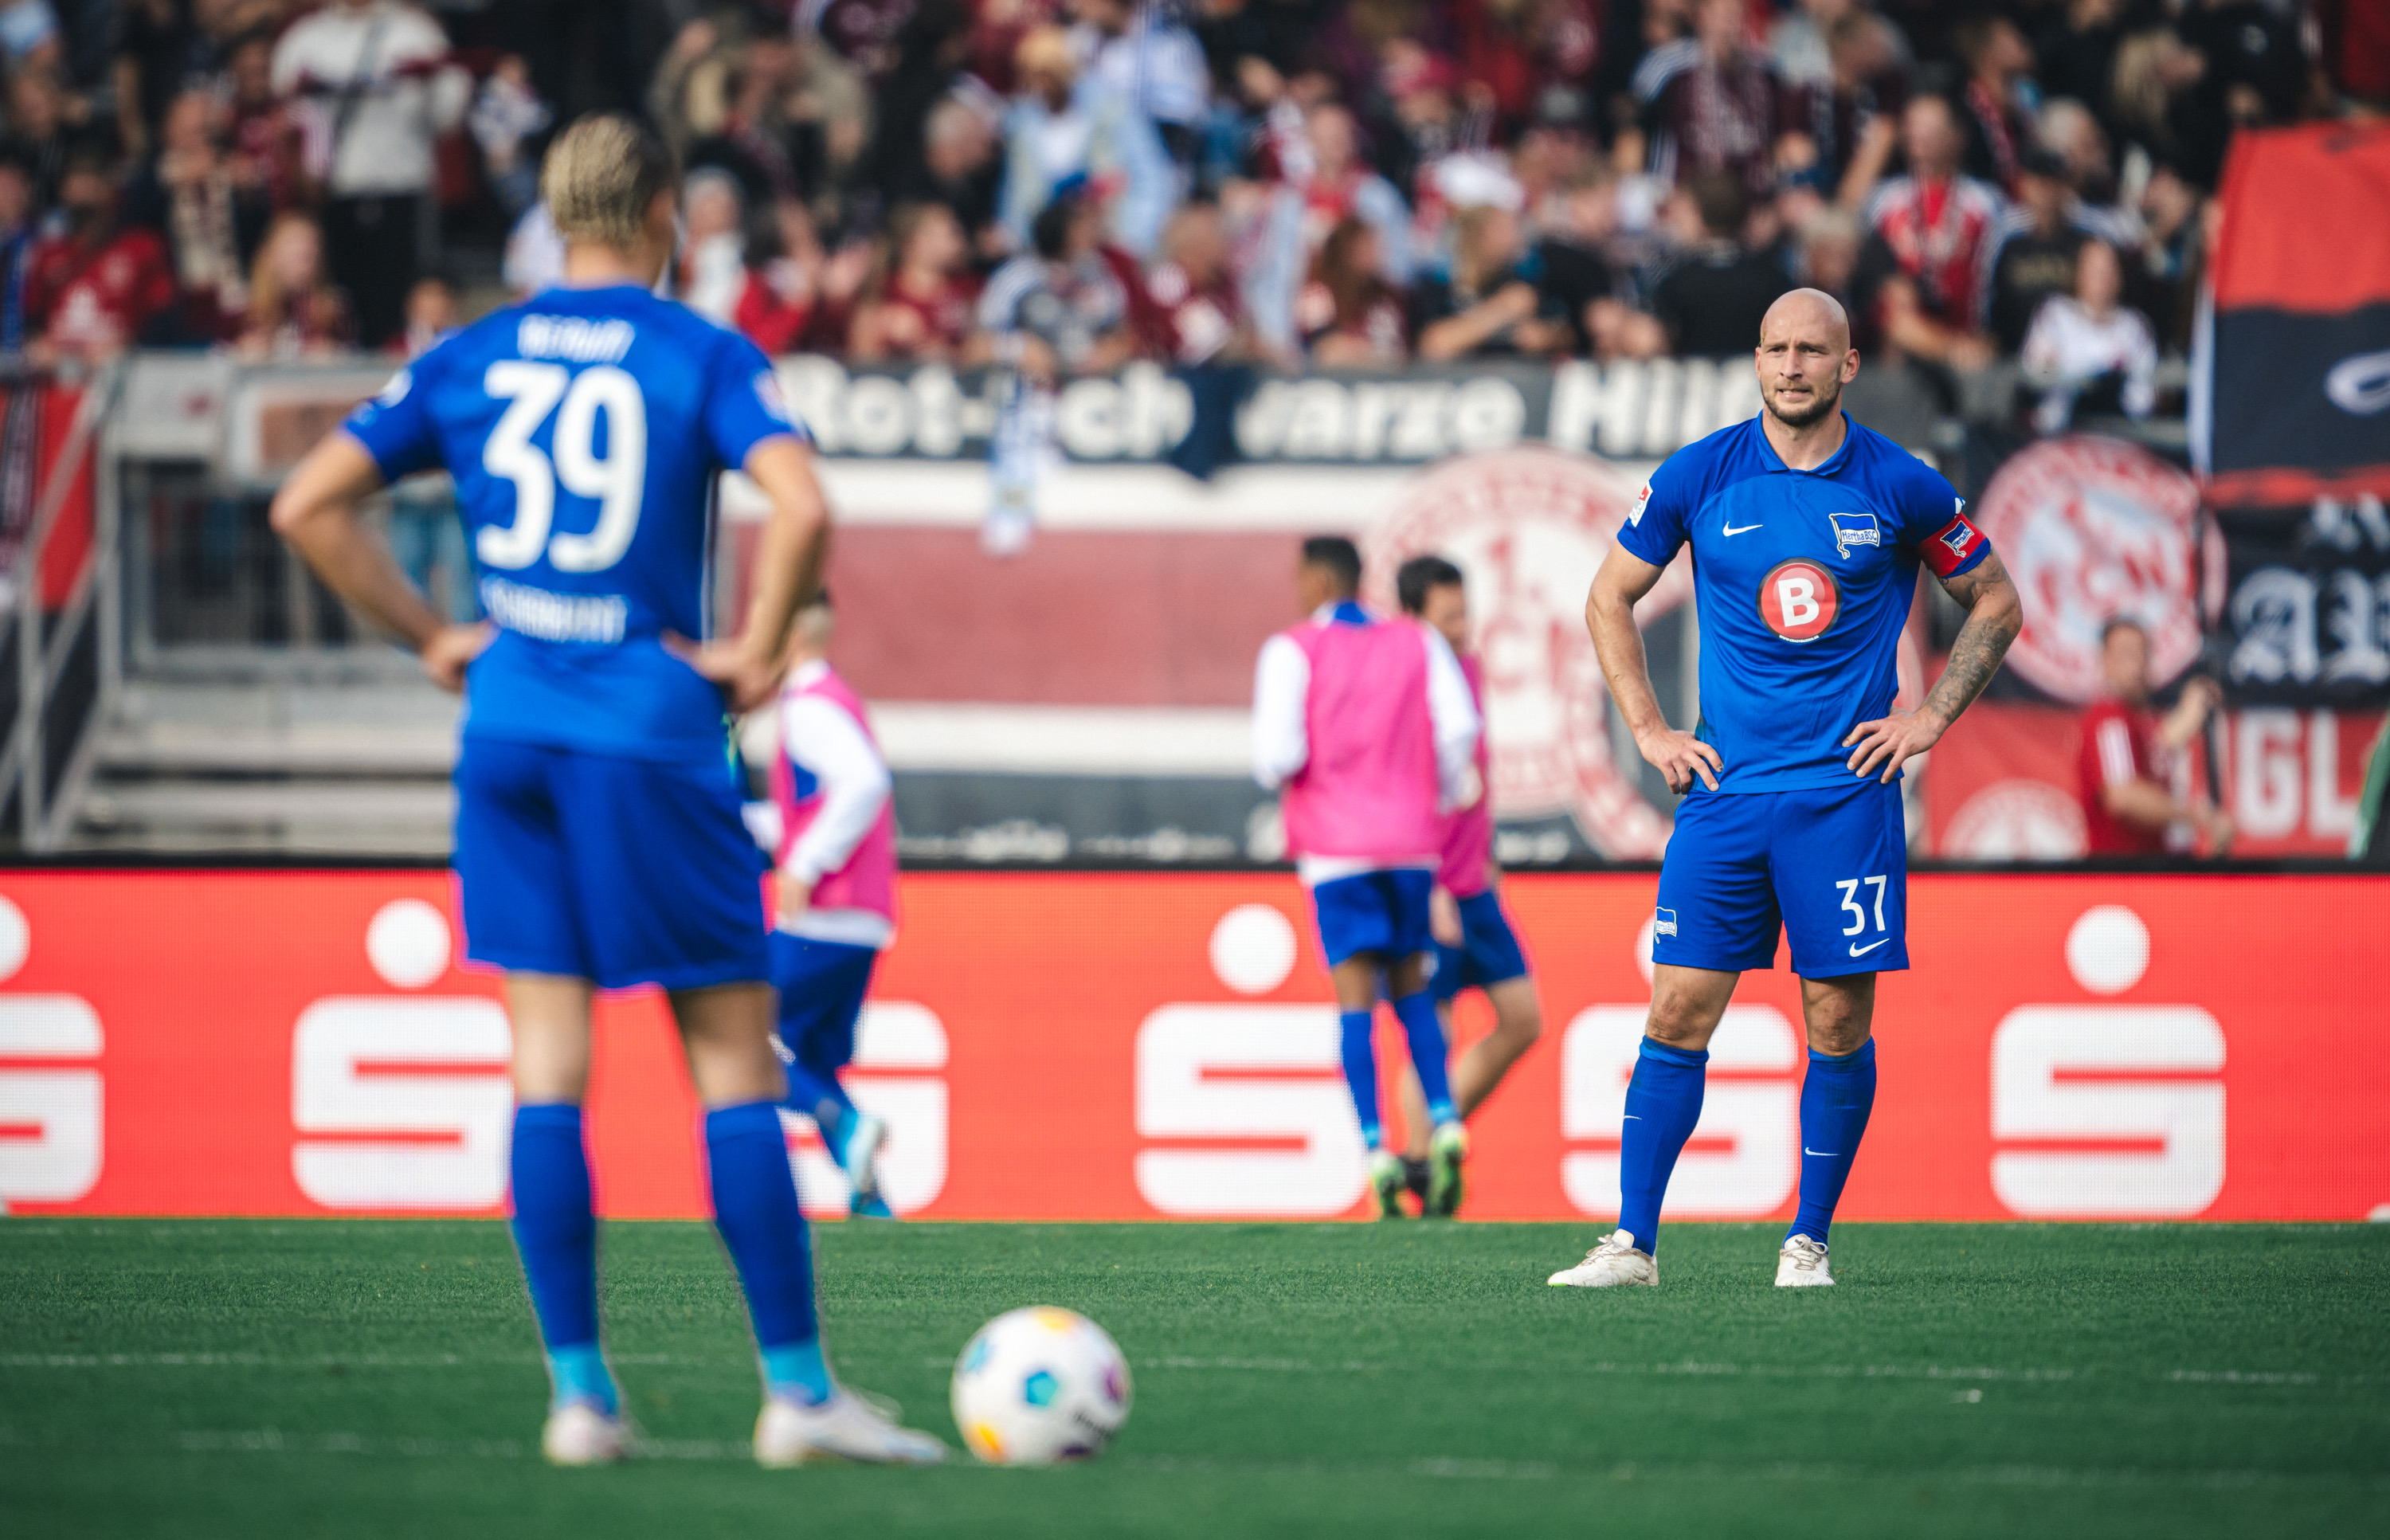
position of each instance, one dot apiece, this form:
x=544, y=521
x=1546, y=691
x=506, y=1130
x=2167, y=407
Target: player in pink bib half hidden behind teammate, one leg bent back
x=1476, y=943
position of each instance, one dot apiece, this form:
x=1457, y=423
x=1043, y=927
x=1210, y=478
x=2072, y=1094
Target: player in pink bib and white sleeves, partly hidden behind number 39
x=838, y=896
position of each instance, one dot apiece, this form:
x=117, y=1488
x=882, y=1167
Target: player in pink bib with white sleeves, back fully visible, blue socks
x=1368, y=728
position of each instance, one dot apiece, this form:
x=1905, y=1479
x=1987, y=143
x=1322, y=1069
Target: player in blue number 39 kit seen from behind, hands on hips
x=599, y=833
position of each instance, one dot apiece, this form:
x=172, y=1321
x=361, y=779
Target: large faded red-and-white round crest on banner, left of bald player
x=1531, y=527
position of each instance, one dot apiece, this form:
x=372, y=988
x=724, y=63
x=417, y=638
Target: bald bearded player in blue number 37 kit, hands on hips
x=1806, y=534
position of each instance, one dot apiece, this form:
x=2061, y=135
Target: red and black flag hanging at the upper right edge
x=2293, y=391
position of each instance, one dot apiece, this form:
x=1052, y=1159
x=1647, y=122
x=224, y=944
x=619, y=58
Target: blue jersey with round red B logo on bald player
x=1803, y=585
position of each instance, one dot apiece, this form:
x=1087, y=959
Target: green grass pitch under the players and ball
x=381, y=1379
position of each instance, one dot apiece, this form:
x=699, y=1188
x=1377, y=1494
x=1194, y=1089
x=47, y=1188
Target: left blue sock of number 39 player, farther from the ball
x=558, y=1240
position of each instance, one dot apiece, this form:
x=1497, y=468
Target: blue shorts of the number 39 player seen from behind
x=608, y=869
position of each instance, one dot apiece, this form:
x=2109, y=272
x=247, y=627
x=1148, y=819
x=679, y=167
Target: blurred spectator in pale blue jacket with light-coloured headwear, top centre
x=1065, y=128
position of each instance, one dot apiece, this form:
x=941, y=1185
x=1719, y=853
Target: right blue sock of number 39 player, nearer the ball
x=766, y=1235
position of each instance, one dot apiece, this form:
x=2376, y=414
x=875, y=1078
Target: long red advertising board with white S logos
x=1163, y=1046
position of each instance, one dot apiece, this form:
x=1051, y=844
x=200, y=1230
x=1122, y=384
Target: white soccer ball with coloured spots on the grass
x=1041, y=1386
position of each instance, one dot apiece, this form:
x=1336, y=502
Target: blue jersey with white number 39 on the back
x=584, y=432
